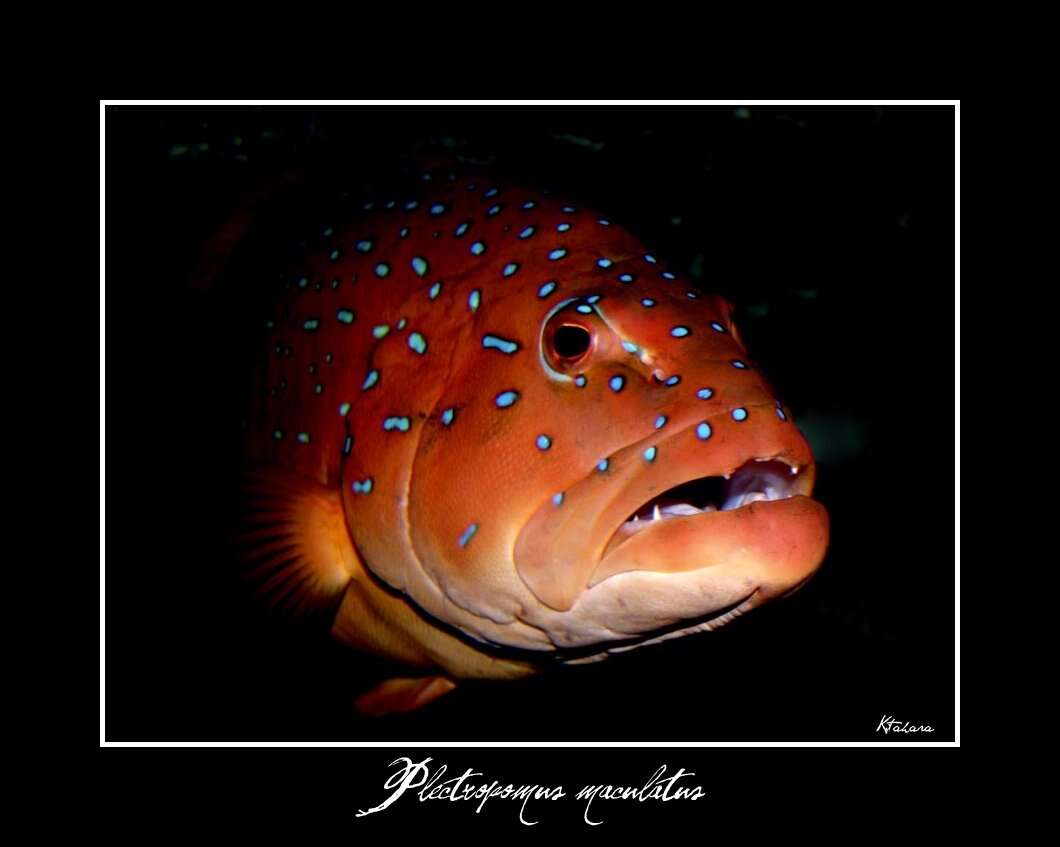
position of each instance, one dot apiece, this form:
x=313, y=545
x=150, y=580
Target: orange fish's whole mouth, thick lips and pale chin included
x=713, y=515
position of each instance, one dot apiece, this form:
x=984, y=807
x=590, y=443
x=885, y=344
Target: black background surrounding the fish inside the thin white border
x=833, y=232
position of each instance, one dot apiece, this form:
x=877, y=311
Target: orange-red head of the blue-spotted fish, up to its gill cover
x=599, y=463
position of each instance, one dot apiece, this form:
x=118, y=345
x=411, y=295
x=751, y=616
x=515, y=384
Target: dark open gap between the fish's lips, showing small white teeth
x=755, y=481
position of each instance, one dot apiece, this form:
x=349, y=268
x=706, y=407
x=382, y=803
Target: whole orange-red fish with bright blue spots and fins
x=494, y=433
